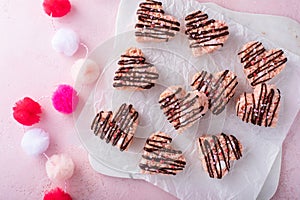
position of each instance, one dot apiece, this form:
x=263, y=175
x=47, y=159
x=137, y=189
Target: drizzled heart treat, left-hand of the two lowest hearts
x=159, y=157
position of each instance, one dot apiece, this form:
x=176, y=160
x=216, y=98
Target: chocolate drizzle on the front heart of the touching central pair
x=181, y=112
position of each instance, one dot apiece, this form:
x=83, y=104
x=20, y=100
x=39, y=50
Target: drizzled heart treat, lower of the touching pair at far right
x=261, y=107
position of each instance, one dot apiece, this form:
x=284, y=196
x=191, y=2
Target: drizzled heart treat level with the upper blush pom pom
x=134, y=72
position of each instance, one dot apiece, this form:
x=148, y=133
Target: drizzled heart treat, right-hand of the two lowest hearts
x=217, y=152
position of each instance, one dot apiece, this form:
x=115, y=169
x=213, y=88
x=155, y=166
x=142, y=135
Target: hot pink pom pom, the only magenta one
x=65, y=99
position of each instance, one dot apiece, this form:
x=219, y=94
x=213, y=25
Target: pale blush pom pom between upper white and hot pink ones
x=85, y=71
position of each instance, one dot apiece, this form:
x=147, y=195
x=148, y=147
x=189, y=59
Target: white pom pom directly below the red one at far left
x=35, y=141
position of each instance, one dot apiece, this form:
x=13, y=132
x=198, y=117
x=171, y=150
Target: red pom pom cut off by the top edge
x=57, y=8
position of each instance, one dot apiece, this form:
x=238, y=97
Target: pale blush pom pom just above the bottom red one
x=59, y=167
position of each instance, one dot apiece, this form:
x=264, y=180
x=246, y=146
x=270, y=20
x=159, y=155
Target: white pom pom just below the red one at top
x=65, y=41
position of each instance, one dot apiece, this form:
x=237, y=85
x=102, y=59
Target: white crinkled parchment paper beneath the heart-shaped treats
x=176, y=65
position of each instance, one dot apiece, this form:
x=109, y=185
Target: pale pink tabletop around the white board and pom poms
x=29, y=67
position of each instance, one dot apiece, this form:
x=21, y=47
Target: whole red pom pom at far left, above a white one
x=26, y=111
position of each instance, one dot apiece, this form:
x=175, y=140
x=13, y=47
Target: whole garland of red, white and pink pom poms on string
x=27, y=112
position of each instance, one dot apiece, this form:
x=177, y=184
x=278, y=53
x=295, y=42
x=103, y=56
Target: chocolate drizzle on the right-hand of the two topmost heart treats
x=201, y=31
